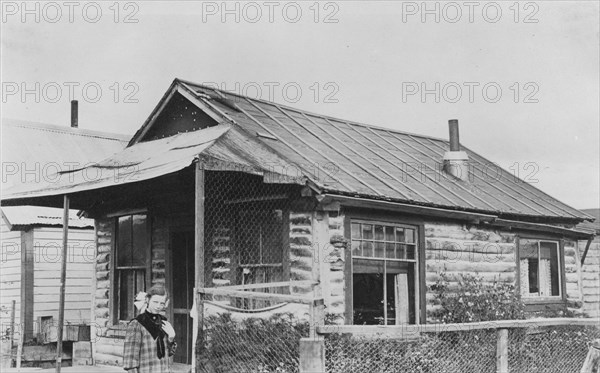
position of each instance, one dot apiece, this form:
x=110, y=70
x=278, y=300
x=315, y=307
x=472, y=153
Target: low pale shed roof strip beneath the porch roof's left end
x=18, y=216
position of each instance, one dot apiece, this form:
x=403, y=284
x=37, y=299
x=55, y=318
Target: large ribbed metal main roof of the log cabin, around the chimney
x=382, y=163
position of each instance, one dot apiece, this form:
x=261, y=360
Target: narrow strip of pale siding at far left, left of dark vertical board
x=10, y=278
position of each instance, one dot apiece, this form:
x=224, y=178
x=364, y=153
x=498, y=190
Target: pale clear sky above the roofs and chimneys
x=522, y=78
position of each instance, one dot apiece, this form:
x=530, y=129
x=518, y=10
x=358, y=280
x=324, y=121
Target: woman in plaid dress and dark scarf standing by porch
x=150, y=338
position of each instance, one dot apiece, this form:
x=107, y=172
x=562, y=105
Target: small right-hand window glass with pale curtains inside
x=540, y=268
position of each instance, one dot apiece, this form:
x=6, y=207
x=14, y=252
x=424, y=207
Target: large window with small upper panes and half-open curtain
x=384, y=261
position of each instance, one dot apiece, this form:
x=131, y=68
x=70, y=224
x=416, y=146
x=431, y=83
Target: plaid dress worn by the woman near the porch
x=140, y=352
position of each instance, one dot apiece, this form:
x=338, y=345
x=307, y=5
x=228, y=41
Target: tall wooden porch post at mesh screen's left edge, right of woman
x=199, y=258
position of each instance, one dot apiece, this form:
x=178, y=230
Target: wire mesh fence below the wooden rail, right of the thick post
x=550, y=349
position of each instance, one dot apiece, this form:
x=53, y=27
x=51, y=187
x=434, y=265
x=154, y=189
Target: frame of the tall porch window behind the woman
x=114, y=299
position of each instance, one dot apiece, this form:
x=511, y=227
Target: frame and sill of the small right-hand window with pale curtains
x=535, y=303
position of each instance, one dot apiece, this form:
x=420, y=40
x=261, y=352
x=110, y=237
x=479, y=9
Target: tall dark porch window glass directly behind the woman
x=132, y=245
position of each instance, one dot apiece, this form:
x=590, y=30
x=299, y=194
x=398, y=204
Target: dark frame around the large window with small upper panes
x=385, y=218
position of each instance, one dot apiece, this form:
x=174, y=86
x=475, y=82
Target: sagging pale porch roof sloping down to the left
x=220, y=147
